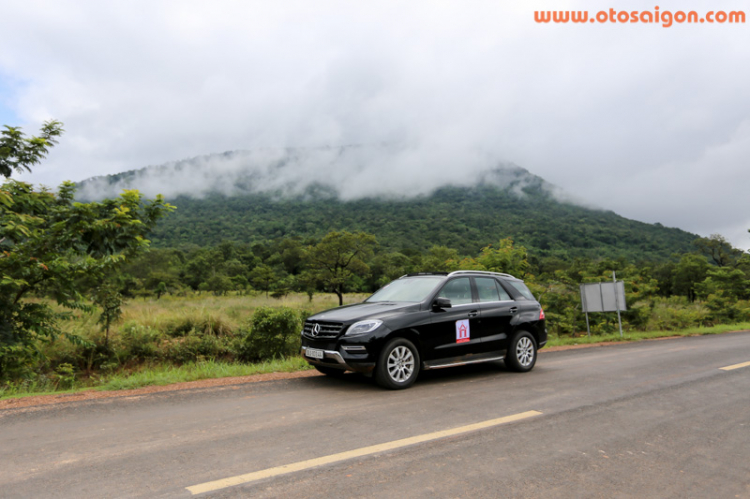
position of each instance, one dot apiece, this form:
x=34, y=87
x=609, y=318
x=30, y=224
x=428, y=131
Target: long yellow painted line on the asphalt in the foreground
x=364, y=451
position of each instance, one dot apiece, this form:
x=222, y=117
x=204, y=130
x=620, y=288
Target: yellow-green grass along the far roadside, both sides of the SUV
x=154, y=323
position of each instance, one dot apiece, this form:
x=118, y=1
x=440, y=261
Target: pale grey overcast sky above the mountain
x=651, y=122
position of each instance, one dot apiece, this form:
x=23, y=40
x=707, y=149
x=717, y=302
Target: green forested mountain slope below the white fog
x=462, y=218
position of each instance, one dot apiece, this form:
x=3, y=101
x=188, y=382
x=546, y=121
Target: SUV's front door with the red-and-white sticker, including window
x=453, y=332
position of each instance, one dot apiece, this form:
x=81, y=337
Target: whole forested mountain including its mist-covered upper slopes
x=273, y=200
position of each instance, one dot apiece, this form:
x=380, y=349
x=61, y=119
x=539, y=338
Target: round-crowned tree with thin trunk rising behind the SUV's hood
x=339, y=258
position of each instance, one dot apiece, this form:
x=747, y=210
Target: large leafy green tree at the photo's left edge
x=49, y=243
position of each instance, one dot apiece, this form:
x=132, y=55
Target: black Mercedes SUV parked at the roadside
x=429, y=321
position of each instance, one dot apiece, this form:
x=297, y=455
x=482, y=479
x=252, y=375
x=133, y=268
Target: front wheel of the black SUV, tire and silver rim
x=398, y=364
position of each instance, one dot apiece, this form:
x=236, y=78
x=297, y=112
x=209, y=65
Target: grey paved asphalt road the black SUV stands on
x=652, y=419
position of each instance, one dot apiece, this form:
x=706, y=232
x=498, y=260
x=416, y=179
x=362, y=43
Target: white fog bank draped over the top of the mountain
x=352, y=172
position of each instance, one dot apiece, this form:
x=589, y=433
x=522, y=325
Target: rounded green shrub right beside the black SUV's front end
x=274, y=333
